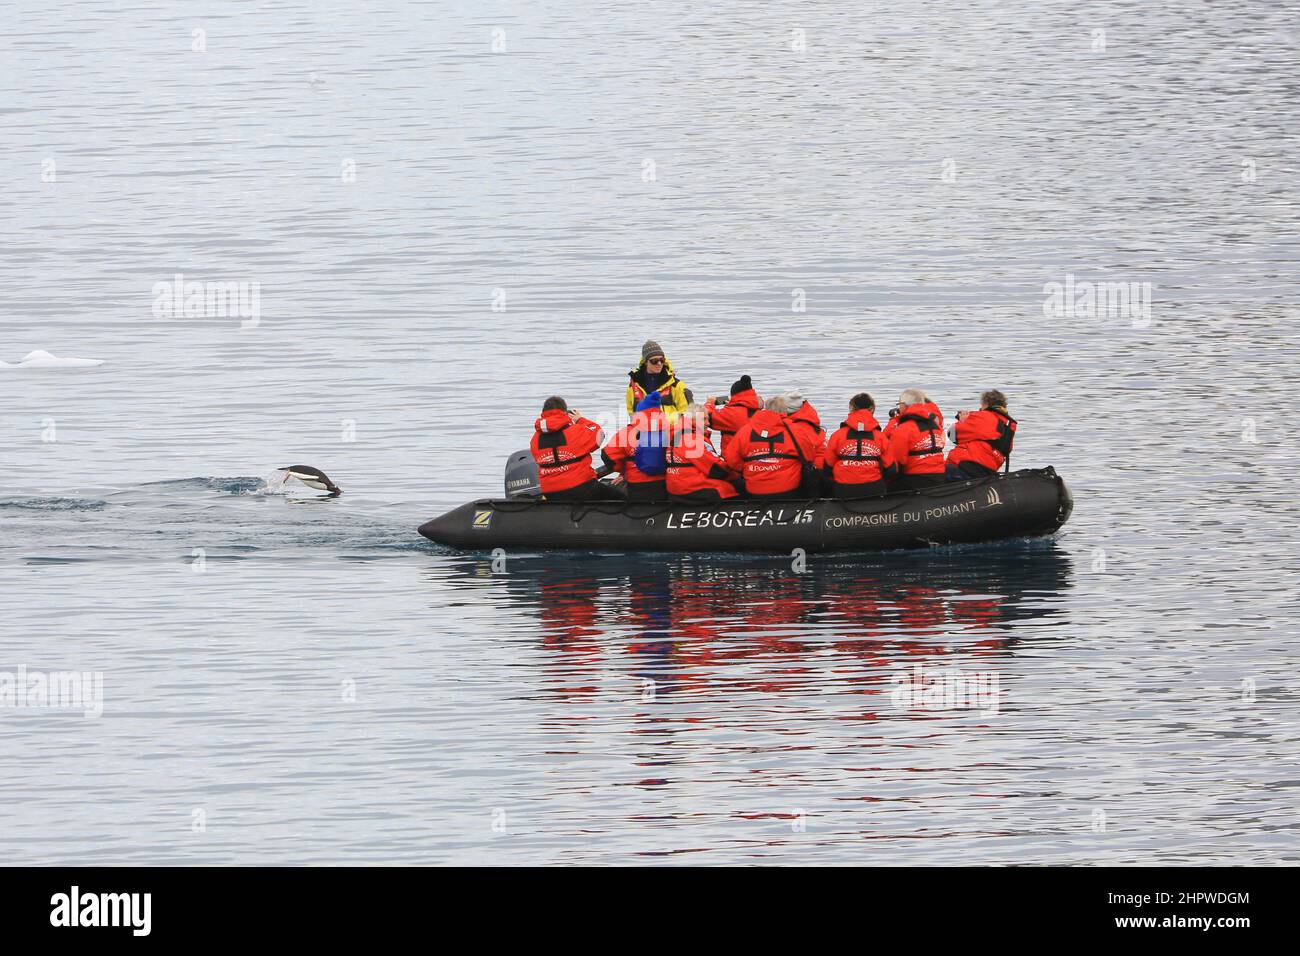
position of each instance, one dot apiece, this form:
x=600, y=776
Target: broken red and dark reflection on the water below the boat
x=777, y=625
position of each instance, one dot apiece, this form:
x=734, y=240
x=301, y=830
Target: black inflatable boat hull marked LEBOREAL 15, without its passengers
x=1024, y=504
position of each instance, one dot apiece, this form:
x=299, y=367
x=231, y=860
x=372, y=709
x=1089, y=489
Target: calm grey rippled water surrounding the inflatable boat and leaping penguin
x=309, y=682
